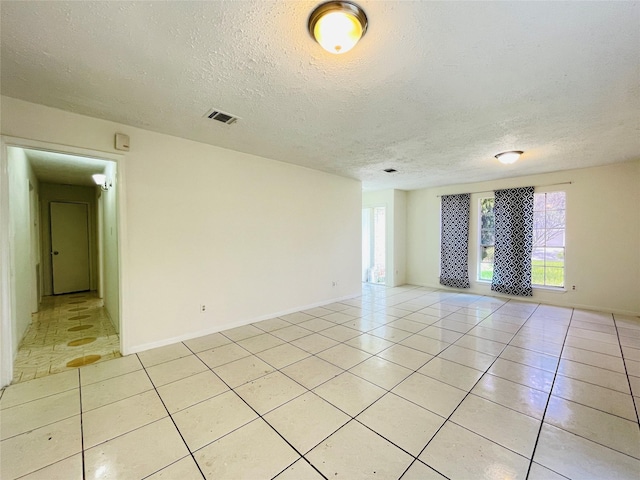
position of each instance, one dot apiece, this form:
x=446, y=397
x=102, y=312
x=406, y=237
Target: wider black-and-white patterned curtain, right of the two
x=513, y=209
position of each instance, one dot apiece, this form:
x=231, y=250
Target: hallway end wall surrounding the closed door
x=52, y=192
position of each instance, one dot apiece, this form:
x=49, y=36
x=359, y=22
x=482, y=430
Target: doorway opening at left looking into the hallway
x=63, y=248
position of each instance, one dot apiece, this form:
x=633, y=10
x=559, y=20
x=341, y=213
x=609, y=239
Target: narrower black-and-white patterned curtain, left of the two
x=454, y=240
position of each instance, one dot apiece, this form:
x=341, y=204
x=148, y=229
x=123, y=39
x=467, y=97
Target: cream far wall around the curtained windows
x=602, y=236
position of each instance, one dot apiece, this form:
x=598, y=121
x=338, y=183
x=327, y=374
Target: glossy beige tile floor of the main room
x=404, y=383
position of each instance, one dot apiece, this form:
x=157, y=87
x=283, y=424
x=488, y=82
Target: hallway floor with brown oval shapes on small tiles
x=69, y=331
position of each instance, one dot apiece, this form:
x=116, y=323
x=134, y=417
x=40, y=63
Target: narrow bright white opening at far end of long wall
x=374, y=250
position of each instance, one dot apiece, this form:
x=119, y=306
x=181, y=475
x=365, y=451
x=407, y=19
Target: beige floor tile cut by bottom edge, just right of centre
x=355, y=452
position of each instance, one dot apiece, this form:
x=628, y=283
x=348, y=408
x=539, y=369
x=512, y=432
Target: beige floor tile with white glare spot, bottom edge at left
x=136, y=454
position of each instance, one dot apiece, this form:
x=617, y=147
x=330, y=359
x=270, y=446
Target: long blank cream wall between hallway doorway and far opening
x=246, y=236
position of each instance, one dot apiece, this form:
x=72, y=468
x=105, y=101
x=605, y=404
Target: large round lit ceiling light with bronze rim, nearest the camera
x=337, y=26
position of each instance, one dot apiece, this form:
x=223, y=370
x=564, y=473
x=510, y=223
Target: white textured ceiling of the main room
x=434, y=89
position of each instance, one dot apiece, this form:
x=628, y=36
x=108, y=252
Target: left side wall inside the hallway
x=20, y=176
